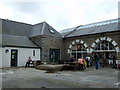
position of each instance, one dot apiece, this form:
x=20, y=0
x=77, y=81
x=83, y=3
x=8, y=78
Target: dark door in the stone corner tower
x=54, y=55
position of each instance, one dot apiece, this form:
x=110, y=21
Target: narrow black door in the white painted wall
x=14, y=54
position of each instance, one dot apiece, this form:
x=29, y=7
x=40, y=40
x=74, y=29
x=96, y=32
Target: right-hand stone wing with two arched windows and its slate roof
x=101, y=37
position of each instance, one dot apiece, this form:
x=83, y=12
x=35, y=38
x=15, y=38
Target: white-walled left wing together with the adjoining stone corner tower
x=20, y=40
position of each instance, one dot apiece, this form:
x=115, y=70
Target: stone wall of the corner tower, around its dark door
x=46, y=43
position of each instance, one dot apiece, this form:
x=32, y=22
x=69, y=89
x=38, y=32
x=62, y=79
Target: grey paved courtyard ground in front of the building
x=33, y=78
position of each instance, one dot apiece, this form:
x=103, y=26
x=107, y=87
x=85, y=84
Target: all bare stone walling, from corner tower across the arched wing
x=46, y=43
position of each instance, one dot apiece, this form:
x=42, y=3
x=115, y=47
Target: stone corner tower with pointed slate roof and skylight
x=49, y=40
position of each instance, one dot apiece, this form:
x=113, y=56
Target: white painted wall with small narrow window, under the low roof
x=23, y=54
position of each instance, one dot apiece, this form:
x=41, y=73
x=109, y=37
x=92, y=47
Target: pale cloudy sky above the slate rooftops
x=60, y=14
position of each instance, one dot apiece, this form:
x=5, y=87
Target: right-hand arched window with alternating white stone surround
x=104, y=46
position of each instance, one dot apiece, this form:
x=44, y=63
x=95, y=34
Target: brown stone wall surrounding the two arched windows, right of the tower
x=89, y=39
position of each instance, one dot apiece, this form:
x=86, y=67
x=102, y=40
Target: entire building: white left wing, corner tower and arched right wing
x=42, y=42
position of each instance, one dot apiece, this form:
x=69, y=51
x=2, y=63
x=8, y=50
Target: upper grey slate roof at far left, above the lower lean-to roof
x=16, y=28
